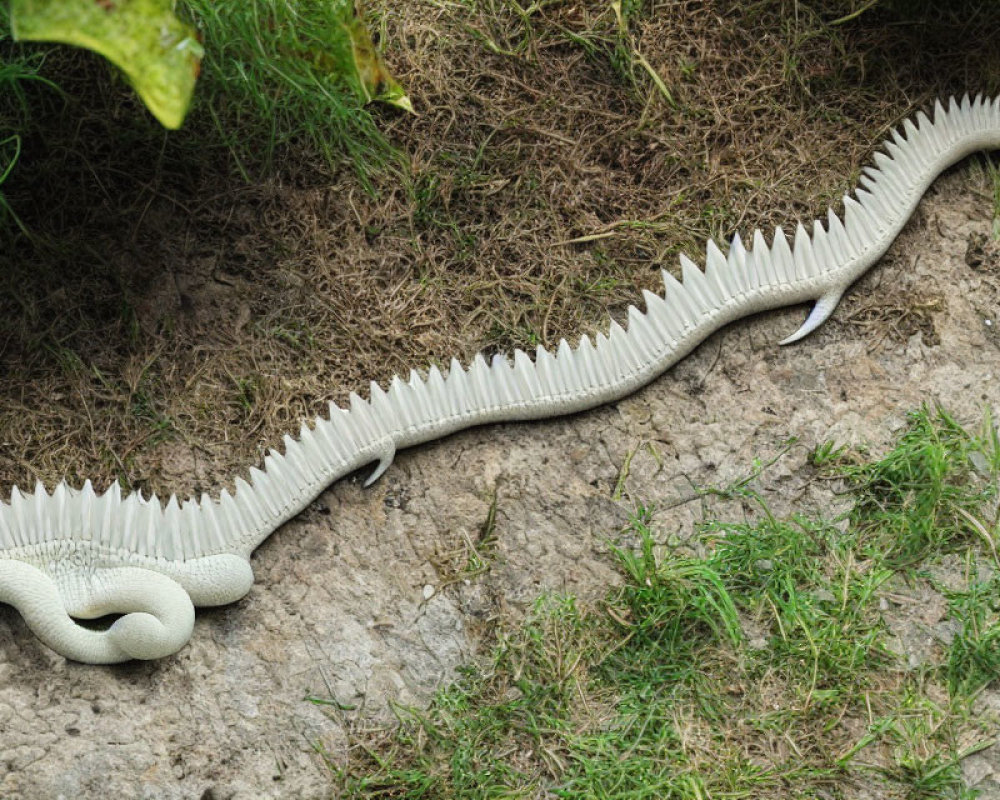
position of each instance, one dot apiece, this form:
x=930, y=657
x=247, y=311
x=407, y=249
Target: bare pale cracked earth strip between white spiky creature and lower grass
x=341, y=608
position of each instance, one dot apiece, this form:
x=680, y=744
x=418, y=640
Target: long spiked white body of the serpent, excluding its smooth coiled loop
x=813, y=265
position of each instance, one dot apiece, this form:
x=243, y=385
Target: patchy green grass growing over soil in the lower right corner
x=763, y=669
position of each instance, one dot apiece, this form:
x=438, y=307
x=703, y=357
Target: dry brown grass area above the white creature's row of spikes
x=184, y=321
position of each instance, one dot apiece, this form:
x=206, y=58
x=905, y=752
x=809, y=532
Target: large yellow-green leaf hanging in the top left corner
x=159, y=54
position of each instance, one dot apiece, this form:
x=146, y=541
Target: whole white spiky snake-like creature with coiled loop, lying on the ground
x=75, y=553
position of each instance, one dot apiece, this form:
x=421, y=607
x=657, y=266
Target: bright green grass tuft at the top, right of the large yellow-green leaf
x=271, y=79
